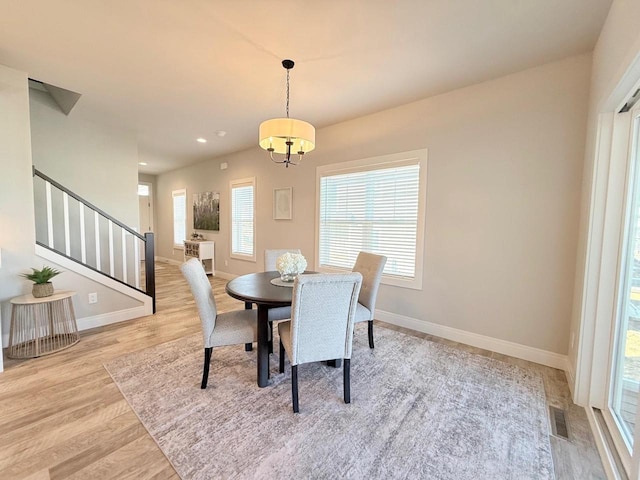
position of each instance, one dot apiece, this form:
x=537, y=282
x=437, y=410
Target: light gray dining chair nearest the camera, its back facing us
x=321, y=326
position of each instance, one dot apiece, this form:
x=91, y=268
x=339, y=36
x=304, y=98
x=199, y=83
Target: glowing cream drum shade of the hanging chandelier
x=276, y=132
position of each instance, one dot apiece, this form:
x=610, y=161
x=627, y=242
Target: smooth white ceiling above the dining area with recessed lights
x=174, y=70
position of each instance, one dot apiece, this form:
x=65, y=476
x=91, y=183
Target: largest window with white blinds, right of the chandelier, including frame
x=374, y=205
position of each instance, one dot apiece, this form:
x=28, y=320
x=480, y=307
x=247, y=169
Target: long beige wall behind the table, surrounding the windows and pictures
x=503, y=190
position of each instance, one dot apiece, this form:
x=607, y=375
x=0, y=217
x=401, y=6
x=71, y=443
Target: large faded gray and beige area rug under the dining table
x=419, y=410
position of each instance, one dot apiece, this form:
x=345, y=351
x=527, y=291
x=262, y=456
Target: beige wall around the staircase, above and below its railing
x=75, y=152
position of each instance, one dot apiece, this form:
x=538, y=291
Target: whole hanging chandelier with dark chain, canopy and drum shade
x=286, y=136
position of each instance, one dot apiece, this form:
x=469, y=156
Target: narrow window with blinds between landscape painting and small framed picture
x=243, y=219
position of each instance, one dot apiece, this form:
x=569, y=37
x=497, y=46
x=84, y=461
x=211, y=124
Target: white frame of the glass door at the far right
x=599, y=295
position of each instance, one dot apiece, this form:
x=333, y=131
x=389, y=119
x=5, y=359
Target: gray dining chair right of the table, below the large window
x=371, y=267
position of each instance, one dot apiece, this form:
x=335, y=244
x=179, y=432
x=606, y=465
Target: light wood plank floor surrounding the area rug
x=62, y=417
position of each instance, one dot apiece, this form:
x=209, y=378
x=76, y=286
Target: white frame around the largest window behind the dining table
x=376, y=163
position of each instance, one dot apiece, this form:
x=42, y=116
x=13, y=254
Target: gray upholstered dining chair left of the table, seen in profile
x=230, y=328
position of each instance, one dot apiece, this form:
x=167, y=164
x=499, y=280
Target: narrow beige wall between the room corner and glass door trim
x=618, y=46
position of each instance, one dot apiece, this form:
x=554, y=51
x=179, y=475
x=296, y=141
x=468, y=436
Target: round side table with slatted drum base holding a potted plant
x=40, y=326
